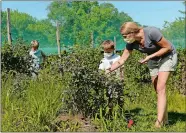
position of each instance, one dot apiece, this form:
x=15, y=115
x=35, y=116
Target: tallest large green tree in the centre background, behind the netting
x=78, y=19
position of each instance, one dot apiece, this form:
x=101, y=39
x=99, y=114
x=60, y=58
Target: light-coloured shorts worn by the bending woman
x=164, y=64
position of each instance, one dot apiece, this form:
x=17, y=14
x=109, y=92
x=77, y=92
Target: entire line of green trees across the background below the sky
x=78, y=21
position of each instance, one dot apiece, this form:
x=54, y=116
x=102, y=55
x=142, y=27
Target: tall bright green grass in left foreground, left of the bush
x=34, y=111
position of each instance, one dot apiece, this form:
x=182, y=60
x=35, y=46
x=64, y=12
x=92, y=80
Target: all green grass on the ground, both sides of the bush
x=35, y=106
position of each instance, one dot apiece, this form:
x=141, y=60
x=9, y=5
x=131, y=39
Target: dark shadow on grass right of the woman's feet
x=175, y=116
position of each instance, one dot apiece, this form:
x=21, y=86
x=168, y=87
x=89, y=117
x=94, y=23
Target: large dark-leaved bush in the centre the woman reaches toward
x=85, y=86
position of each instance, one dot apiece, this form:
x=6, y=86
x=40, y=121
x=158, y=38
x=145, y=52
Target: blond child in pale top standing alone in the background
x=38, y=57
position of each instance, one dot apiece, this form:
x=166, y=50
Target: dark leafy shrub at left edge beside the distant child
x=15, y=58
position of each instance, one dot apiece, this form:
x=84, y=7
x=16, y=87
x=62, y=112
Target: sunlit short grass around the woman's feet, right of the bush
x=143, y=112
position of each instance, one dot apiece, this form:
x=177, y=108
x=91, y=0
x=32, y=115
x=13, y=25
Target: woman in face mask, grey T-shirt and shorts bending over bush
x=161, y=58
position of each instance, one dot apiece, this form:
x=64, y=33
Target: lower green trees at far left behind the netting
x=24, y=26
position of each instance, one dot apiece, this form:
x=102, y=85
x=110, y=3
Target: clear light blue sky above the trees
x=151, y=13
